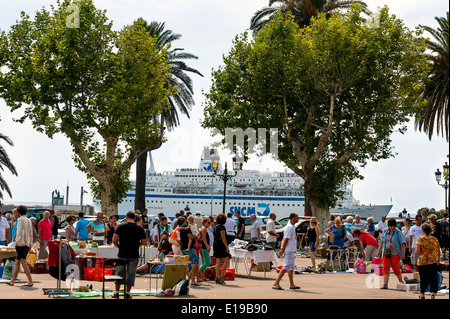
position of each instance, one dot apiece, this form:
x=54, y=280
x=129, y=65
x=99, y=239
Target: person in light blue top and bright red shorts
x=392, y=249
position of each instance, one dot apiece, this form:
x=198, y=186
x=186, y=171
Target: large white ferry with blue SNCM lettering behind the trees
x=250, y=192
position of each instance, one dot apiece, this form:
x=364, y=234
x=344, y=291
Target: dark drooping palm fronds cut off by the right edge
x=436, y=91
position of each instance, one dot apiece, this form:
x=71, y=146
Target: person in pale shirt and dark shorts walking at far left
x=24, y=240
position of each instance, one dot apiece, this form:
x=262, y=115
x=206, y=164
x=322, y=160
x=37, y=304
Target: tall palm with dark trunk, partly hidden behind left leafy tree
x=182, y=101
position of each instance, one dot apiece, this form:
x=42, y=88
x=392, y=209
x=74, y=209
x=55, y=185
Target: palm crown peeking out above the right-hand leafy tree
x=303, y=10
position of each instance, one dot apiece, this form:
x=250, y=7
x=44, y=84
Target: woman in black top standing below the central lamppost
x=220, y=247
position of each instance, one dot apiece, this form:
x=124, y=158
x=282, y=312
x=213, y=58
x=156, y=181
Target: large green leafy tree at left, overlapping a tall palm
x=102, y=89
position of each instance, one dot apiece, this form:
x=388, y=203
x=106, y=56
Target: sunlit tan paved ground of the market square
x=257, y=288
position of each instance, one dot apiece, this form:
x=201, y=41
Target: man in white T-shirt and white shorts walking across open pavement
x=288, y=248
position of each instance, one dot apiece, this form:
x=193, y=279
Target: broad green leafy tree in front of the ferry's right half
x=335, y=90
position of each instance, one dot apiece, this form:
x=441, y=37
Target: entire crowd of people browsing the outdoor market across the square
x=419, y=244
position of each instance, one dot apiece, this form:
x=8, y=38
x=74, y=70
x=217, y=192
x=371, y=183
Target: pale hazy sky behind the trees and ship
x=208, y=28
